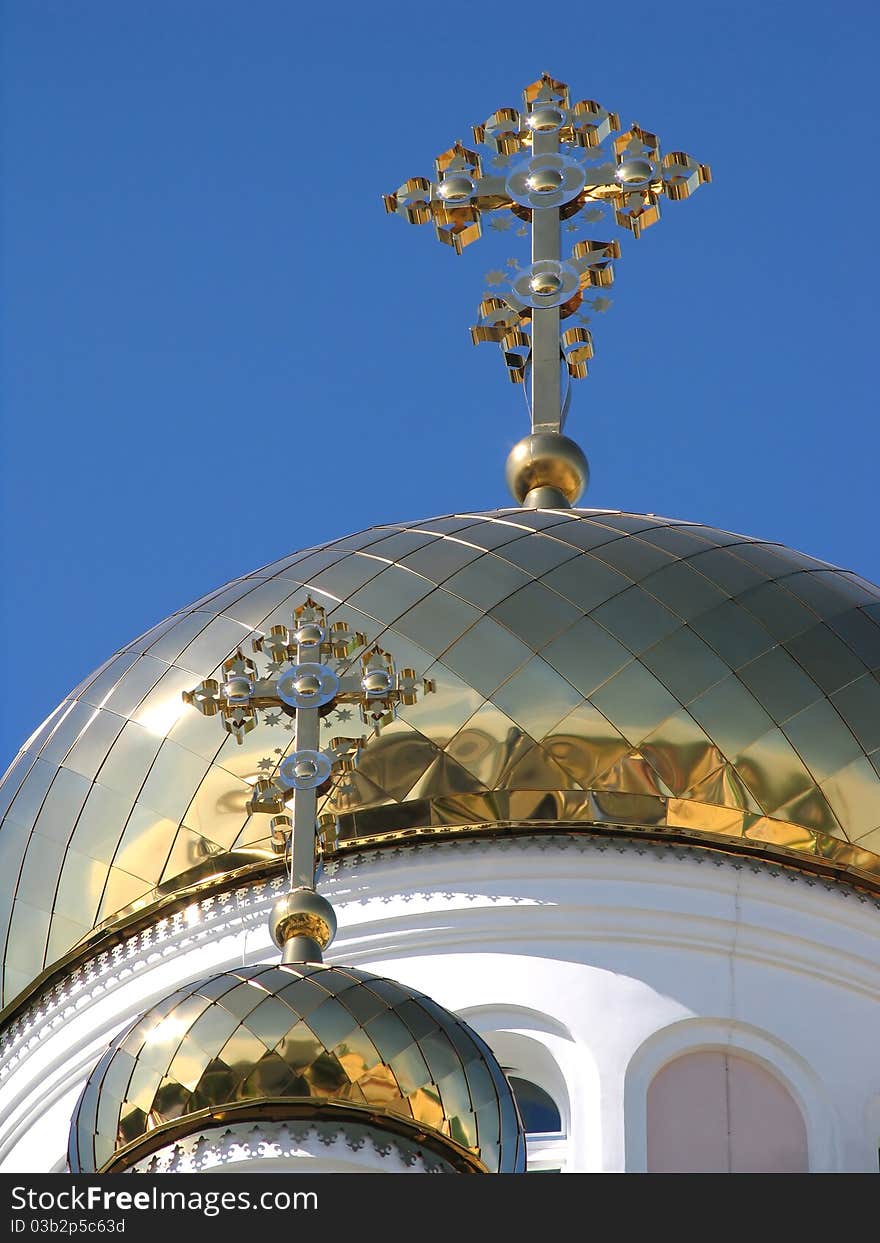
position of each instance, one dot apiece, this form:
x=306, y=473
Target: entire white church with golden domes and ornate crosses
x=541, y=840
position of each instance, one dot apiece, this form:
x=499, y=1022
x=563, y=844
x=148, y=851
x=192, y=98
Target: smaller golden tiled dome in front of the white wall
x=298, y=1042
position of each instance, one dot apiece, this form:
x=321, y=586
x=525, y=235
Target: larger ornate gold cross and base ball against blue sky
x=548, y=163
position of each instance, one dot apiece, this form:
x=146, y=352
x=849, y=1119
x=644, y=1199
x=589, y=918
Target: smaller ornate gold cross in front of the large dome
x=300, y=684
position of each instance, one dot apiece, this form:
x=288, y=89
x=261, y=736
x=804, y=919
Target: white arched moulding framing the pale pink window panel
x=697, y=1035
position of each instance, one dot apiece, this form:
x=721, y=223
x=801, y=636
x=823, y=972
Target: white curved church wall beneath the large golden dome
x=611, y=958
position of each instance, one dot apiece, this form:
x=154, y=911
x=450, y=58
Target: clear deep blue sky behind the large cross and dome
x=218, y=349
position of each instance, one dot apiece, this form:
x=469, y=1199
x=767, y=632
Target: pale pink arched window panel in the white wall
x=713, y=1112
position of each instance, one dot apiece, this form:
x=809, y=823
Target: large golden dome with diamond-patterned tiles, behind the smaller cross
x=595, y=671
